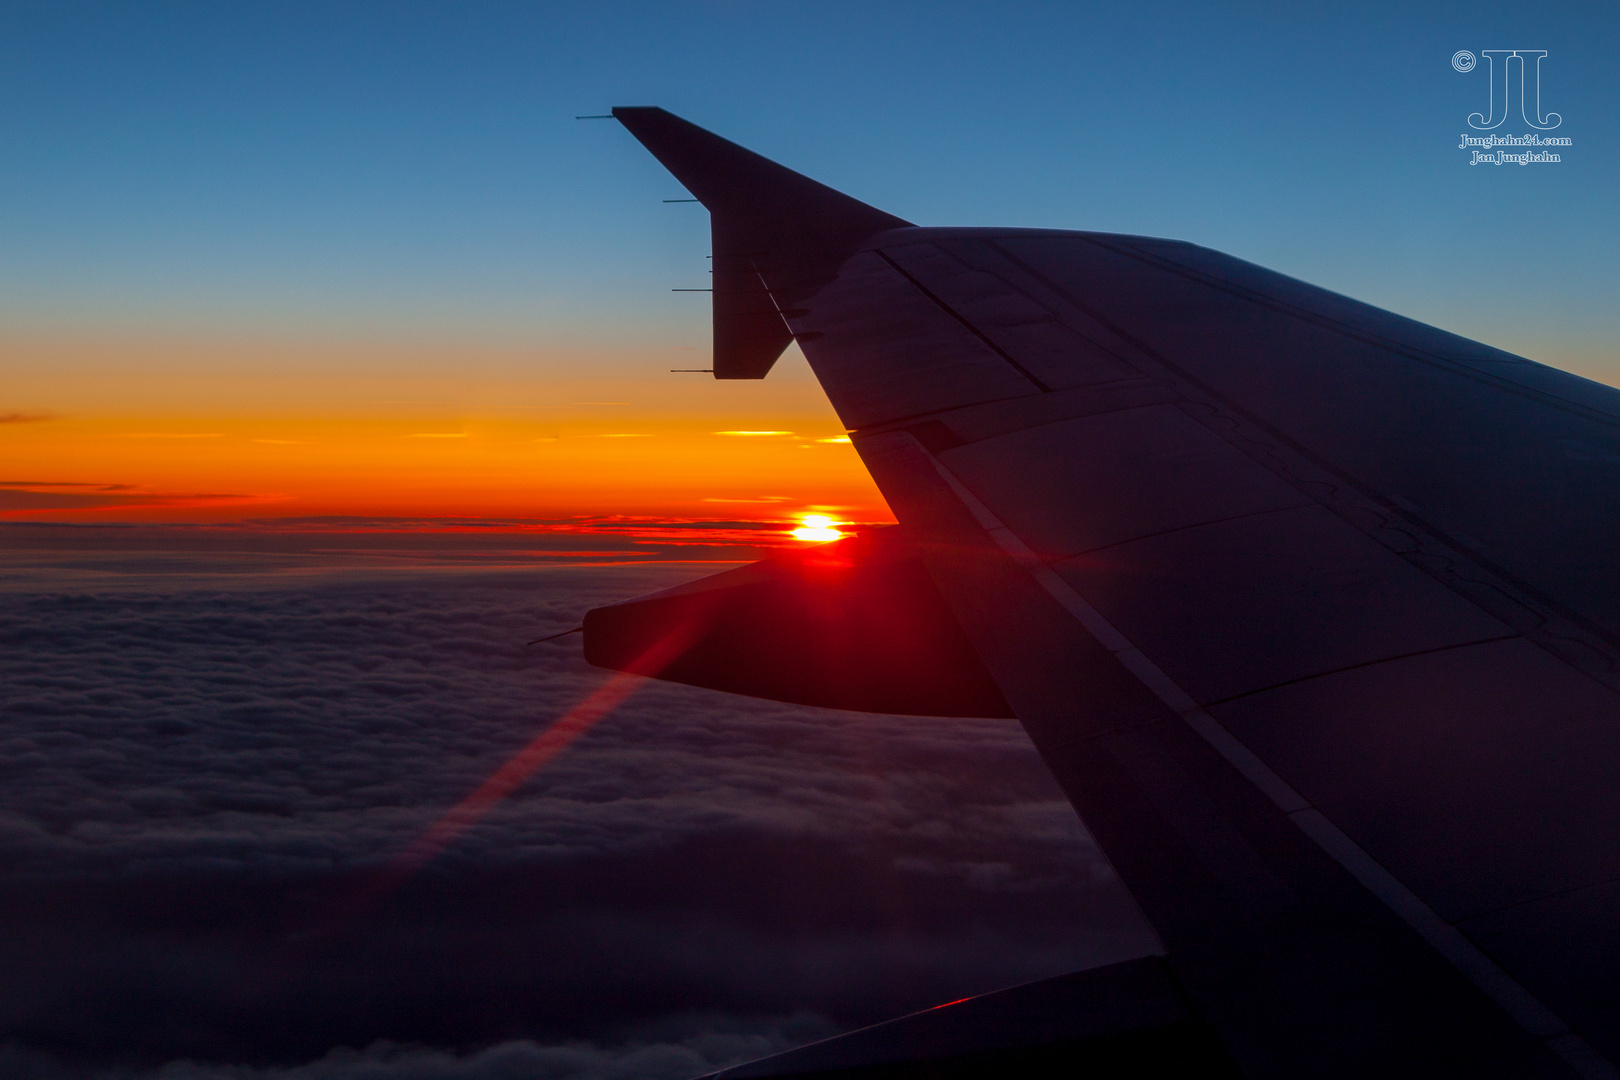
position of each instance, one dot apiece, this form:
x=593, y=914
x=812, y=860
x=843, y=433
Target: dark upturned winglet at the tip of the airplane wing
x=777, y=234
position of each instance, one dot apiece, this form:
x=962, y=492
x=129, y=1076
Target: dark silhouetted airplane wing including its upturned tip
x=1311, y=610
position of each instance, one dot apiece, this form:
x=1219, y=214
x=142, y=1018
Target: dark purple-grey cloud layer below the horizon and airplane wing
x=198, y=786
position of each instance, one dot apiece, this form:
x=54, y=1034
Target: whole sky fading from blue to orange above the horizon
x=359, y=258
